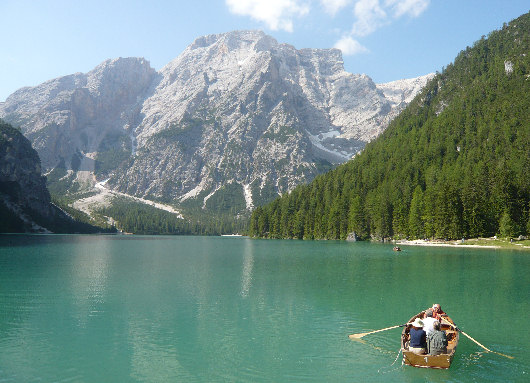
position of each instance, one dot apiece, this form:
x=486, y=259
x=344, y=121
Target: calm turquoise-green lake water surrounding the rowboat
x=224, y=309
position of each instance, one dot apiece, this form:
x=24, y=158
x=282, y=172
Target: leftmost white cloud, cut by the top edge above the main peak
x=277, y=14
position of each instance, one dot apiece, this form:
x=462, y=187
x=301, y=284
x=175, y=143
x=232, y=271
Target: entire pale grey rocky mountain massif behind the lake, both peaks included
x=234, y=120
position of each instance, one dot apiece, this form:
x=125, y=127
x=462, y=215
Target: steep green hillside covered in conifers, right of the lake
x=455, y=163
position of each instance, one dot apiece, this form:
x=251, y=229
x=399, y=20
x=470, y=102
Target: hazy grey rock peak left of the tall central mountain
x=66, y=118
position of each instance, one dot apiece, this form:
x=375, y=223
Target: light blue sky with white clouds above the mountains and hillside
x=386, y=39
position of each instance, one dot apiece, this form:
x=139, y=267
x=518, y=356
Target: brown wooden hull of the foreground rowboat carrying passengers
x=430, y=361
